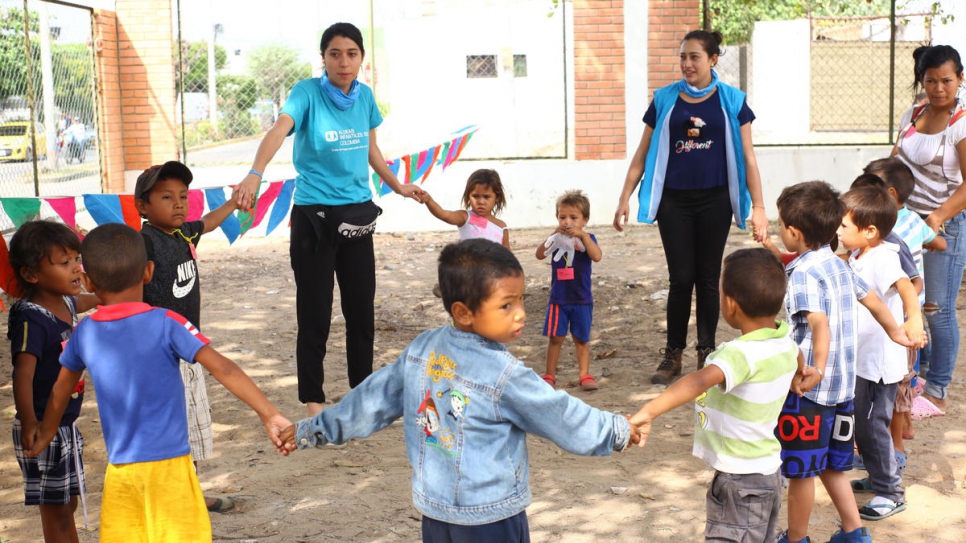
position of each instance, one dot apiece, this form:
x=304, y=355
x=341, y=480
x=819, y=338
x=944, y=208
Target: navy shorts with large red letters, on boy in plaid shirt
x=815, y=437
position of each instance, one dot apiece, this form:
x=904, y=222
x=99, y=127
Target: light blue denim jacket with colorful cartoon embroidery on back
x=467, y=406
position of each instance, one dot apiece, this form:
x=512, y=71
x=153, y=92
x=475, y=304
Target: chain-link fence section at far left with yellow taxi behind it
x=48, y=117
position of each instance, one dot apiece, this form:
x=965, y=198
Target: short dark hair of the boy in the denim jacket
x=469, y=269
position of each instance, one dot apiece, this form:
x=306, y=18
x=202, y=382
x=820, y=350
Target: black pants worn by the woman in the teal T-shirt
x=315, y=258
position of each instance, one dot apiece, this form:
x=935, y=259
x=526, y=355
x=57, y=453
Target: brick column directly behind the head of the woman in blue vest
x=668, y=22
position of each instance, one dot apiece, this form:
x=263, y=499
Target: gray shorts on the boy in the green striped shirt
x=743, y=508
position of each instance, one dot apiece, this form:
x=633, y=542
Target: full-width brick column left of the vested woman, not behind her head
x=599, y=127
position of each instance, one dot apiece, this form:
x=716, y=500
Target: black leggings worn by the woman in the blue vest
x=694, y=227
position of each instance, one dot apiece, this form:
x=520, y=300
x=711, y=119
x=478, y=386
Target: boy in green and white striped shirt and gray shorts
x=739, y=395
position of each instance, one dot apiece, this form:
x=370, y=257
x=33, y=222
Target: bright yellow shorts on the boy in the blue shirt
x=157, y=502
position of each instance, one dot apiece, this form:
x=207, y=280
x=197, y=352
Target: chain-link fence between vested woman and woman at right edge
x=832, y=76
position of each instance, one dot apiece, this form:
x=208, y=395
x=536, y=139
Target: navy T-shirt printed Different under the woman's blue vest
x=696, y=133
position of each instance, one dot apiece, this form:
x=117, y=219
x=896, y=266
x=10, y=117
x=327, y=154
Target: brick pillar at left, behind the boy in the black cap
x=136, y=89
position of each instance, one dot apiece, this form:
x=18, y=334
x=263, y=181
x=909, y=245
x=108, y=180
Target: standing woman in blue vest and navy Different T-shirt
x=699, y=170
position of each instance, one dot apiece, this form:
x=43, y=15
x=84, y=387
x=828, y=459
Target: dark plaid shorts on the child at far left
x=56, y=475
